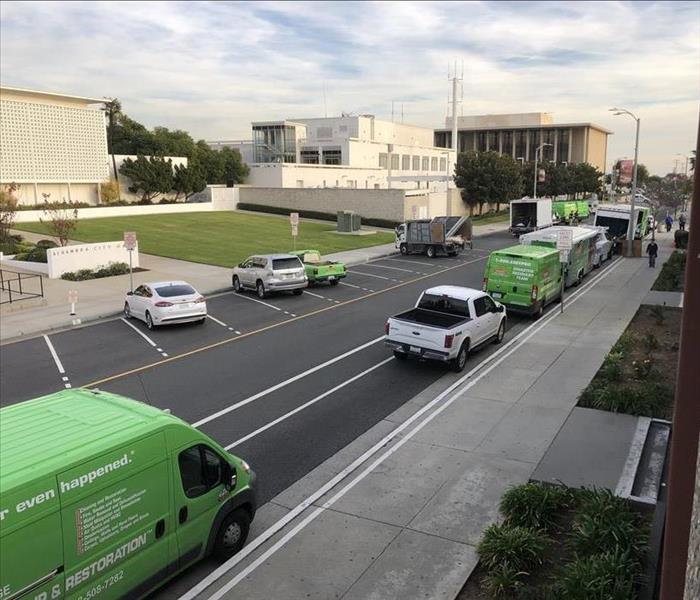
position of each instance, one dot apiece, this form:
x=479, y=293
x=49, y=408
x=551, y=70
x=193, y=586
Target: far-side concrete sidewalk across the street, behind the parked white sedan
x=103, y=298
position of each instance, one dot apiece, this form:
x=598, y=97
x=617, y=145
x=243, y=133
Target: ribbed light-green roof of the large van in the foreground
x=45, y=436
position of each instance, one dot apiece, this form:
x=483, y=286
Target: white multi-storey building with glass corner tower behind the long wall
x=358, y=152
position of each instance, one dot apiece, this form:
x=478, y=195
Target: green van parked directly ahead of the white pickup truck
x=524, y=278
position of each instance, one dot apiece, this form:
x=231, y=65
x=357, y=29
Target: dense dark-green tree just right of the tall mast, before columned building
x=487, y=177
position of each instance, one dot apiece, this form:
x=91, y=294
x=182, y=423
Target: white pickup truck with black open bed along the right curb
x=447, y=322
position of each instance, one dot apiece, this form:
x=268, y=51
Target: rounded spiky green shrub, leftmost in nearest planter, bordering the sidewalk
x=518, y=548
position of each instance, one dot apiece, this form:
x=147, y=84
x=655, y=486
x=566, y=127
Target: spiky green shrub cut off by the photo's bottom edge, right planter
x=608, y=576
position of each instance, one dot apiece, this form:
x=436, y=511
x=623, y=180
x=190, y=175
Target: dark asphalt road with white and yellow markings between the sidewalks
x=254, y=376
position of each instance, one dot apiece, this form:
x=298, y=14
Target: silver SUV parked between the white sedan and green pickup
x=270, y=273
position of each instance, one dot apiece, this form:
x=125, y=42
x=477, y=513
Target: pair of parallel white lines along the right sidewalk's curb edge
x=510, y=347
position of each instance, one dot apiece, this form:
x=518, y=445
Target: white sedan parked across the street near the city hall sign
x=165, y=302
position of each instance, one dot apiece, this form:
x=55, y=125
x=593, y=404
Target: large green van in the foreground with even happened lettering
x=106, y=497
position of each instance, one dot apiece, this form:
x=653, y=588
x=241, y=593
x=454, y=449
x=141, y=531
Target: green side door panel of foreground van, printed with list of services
x=117, y=522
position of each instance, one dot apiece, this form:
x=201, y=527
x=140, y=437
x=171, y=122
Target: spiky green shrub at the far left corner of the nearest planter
x=534, y=505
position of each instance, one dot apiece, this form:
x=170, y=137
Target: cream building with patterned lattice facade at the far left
x=52, y=144
